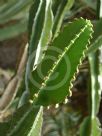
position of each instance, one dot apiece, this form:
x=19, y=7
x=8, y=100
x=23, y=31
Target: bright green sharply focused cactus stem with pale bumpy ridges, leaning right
x=52, y=79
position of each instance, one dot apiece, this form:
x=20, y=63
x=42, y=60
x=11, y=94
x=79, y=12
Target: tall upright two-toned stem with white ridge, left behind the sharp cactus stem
x=41, y=32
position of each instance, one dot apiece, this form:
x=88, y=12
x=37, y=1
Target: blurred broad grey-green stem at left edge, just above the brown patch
x=14, y=30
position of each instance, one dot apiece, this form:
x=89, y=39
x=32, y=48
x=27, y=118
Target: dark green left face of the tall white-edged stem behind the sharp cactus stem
x=35, y=31
